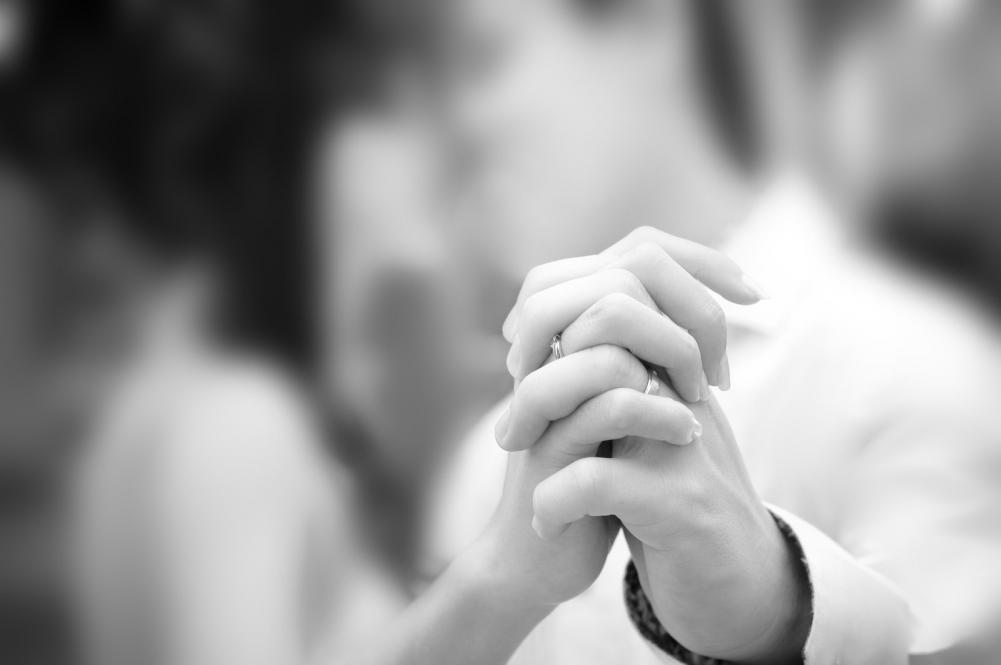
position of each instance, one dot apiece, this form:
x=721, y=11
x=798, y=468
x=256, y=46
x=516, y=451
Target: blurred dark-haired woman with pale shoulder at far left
x=170, y=147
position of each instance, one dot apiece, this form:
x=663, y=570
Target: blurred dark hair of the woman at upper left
x=193, y=123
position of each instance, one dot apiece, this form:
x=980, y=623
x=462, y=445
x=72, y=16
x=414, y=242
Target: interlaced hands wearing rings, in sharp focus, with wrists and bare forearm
x=715, y=566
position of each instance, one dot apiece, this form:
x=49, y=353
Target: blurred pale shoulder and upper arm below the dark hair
x=211, y=527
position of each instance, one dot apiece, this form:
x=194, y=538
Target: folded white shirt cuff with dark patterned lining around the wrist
x=858, y=618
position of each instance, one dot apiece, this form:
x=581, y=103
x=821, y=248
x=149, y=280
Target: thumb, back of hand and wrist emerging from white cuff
x=717, y=570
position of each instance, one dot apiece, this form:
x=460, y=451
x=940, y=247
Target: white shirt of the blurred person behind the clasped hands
x=866, y=403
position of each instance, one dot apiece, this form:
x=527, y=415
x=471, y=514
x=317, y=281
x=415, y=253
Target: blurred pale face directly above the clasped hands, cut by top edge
x=557, y=105
